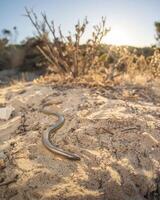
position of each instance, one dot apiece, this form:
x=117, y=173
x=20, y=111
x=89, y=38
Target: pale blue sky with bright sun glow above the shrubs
x=131, y=21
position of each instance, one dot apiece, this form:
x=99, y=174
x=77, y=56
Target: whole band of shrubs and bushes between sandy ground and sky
x=67, y=56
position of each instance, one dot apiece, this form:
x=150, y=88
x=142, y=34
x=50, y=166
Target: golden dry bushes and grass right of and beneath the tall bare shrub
x=120, y=66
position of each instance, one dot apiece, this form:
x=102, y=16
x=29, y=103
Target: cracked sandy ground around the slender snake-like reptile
x=116, y=131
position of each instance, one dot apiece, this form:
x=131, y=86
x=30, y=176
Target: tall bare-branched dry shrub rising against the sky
x=66, y=54
